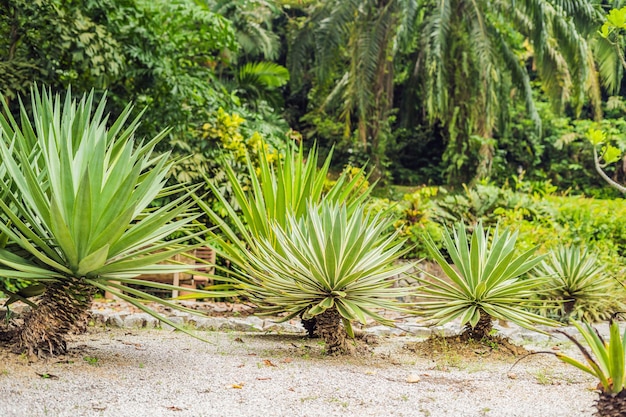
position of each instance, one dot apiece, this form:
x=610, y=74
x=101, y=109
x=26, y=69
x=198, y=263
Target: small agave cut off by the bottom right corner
x=606, y=362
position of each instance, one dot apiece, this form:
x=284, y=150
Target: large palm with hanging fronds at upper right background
x=470, y=62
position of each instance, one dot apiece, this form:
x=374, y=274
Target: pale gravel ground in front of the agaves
x=146, y=372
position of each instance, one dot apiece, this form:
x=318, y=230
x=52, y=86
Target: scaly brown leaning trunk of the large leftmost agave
x=62, y=306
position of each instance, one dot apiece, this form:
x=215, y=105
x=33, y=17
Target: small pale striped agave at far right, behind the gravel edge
x=576, y=277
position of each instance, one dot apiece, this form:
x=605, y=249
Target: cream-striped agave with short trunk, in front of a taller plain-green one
x=331, y=264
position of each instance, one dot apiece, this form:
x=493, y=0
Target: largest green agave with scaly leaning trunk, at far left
x=76, y=214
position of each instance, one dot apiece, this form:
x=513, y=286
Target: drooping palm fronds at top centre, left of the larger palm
x=353, y=44
